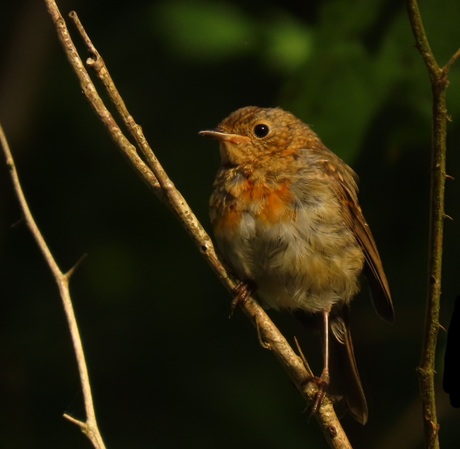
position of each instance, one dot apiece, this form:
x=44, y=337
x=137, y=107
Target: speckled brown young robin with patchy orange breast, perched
x=287, y=223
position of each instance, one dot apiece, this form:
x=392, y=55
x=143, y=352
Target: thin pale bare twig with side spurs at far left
x=89, y=427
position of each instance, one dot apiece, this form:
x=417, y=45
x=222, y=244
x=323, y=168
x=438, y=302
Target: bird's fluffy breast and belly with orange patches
x=291, y=241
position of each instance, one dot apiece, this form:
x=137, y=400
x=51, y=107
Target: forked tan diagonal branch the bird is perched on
x=155, y=176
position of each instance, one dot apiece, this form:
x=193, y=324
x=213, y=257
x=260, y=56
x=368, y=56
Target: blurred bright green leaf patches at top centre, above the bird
x=213, y=31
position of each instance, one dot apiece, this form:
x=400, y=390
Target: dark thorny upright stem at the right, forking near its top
x=439, y=84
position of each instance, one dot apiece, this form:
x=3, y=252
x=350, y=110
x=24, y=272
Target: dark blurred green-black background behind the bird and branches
x=168, y=368
